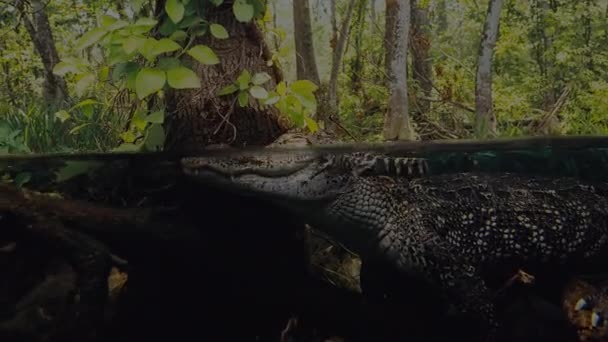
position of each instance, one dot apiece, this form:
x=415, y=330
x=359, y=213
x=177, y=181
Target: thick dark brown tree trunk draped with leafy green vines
x=198, y=117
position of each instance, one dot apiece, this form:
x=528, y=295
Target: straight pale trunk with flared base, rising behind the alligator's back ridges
x=397, y=123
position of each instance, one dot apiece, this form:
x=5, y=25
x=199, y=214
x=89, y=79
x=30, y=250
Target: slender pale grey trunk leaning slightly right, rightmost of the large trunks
x=485, y=120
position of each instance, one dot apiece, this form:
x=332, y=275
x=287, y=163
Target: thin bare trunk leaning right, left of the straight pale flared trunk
x=338, y=42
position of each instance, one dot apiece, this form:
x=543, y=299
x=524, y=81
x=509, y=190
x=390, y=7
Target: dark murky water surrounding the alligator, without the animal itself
x=219, y=267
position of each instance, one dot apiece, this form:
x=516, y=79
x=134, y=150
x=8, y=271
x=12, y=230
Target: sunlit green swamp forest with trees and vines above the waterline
x=108, y=75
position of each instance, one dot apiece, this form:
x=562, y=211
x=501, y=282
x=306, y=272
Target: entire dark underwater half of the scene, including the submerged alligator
x=405, y=242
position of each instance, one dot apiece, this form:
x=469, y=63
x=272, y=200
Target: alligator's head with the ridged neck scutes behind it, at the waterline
x=298, y=175
